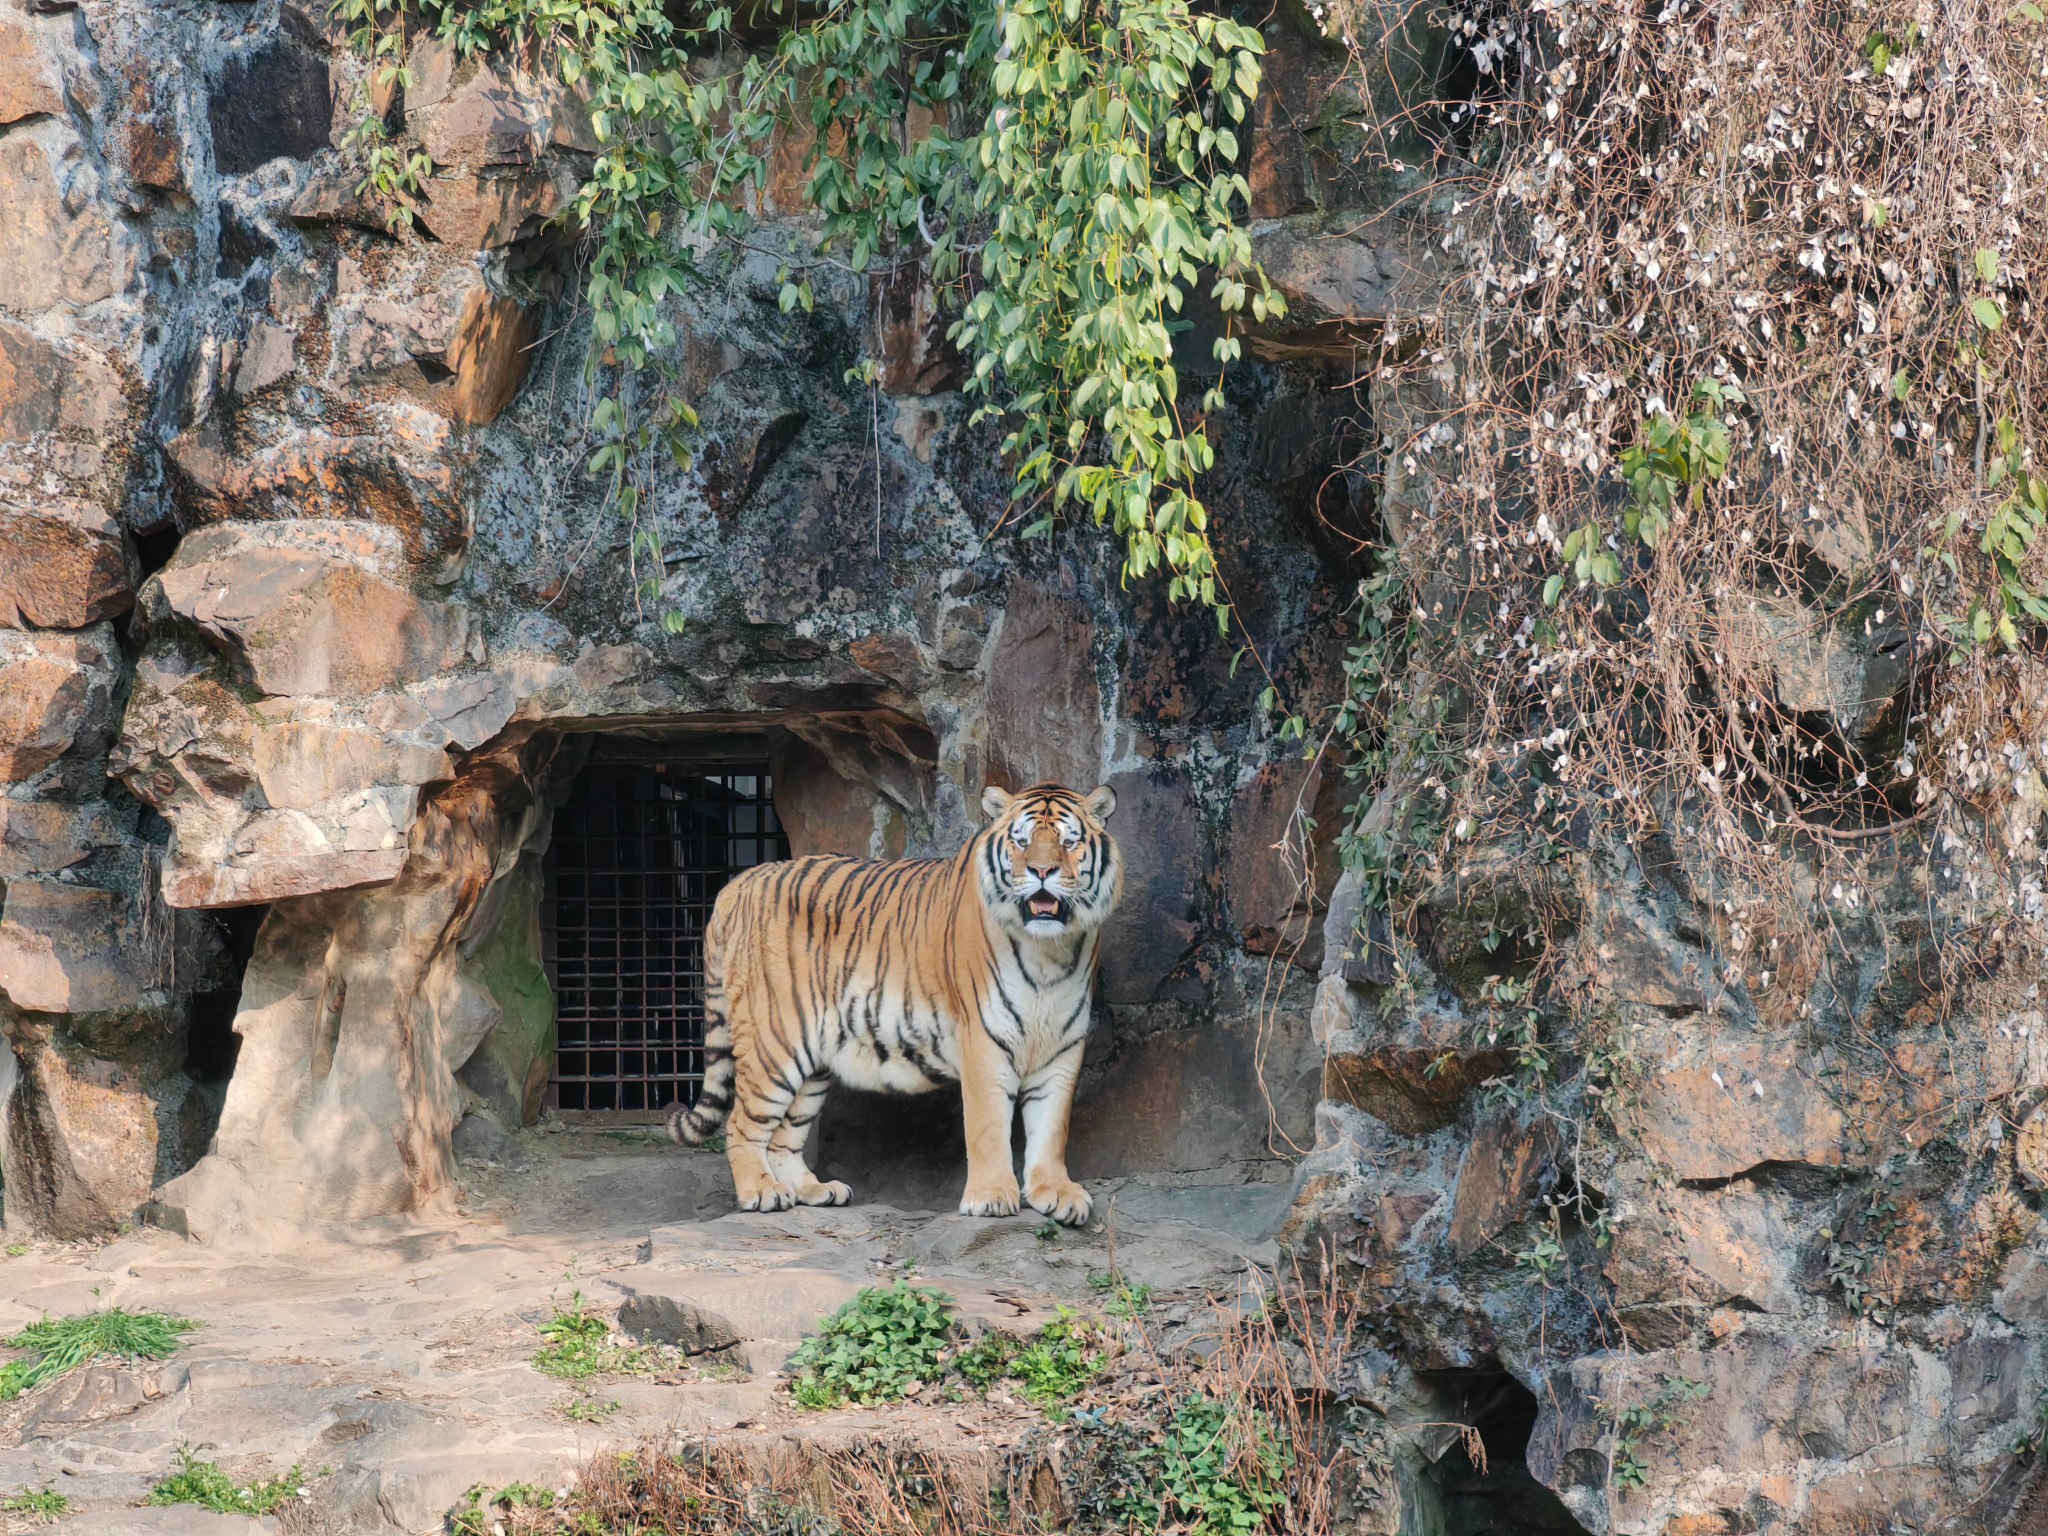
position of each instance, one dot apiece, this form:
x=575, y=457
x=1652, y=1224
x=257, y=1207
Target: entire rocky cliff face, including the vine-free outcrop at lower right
x=308, y=617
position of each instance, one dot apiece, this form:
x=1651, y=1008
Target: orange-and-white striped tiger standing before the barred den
x=904, y=976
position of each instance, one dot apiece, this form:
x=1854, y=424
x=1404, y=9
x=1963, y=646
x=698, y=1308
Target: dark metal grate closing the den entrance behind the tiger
x=640, y=853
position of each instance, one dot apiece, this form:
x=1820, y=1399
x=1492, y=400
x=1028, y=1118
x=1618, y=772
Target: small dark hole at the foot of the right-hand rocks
x=1494, y=1494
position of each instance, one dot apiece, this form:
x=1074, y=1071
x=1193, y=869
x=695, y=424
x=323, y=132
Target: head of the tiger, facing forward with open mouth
x=1048, y=867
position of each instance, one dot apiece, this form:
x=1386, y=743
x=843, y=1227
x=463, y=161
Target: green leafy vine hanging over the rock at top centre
x=1072, y=187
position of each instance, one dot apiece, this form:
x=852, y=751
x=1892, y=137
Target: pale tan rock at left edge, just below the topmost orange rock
x=48, y=251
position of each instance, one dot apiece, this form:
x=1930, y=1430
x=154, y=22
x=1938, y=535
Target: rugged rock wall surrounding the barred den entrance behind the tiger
x=312, y=607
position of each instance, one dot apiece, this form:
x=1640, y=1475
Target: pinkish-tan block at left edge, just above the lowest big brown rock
x=69, y=949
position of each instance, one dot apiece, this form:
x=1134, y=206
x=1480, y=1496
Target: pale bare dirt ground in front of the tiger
x=394, y=1365
